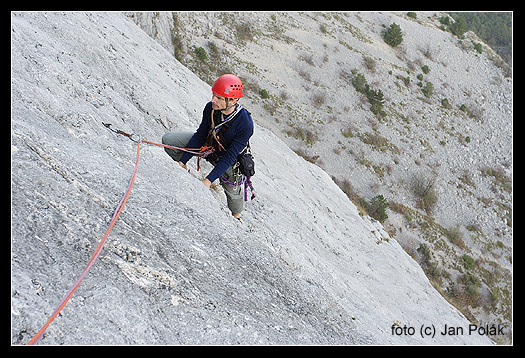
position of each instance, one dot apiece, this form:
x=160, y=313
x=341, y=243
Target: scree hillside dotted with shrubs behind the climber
x=439, y=150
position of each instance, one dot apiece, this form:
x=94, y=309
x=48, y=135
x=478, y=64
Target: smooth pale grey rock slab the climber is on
x=304, y=267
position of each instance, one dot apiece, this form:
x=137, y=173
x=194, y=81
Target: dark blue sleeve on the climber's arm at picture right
x=243, y=132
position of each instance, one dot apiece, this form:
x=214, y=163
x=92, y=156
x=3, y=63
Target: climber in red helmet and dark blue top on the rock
x=229, y=133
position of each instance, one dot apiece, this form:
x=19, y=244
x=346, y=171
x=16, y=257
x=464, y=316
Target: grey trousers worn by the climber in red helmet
x=234, y=194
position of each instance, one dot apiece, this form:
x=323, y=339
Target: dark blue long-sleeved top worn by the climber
x=234, y=139
